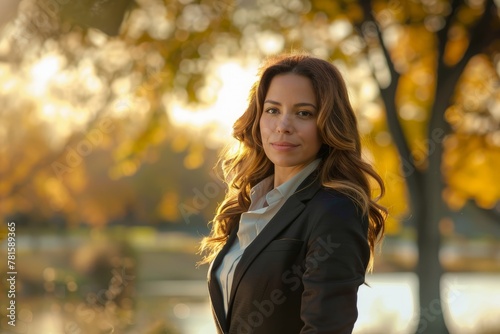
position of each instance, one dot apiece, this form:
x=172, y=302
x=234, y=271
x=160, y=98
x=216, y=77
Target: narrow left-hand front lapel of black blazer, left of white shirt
x=213, y=285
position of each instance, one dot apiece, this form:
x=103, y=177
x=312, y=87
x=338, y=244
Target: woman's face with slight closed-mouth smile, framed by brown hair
x=288, y=126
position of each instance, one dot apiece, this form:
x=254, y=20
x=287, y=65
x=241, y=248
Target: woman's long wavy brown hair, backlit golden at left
x=342, y=167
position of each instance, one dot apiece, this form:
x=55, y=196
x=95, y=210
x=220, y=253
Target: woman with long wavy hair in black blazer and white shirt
x=295, y=234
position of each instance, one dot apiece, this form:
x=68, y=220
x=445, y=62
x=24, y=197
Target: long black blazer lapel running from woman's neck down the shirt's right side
x=285, y=216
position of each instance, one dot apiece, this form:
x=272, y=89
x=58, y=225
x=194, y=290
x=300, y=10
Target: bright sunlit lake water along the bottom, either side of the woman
x=471, y=304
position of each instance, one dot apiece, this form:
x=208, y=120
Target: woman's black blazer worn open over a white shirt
x=302, y=272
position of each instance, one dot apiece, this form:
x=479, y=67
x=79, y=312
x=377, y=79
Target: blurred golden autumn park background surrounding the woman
x=113, y=113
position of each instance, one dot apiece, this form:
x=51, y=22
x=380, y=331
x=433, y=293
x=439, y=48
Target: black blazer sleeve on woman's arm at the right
x=336, y=261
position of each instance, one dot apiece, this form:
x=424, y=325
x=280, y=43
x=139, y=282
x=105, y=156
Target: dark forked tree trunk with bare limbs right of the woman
x=425, y=187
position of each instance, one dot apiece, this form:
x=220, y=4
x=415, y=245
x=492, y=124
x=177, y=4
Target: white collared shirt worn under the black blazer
x=255, y=219
